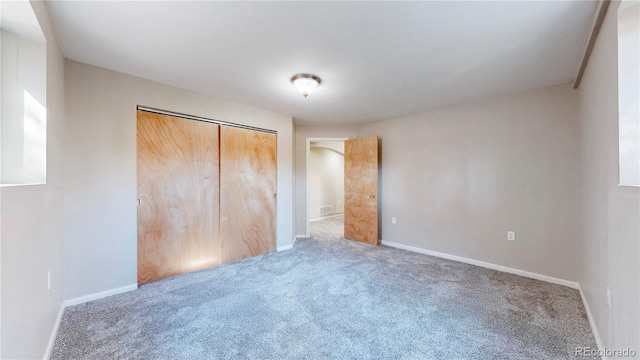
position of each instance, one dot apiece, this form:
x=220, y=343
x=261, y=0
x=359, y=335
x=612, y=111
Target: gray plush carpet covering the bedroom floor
x=331, y=298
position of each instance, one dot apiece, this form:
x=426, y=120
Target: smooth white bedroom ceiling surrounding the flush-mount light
x=377, y=60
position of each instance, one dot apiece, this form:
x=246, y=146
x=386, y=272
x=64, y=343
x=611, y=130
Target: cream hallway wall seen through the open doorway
x=326, y=181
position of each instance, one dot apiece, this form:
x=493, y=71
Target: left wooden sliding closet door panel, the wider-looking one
x=178, y=186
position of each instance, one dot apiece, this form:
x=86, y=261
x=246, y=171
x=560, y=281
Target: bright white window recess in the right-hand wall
x=629, y=91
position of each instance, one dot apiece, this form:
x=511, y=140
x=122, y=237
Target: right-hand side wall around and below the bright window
x=610, y=226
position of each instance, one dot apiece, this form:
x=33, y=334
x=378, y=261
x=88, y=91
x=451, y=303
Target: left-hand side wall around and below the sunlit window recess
x=32, y=230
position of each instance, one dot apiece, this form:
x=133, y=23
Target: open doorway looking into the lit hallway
x=325, y=188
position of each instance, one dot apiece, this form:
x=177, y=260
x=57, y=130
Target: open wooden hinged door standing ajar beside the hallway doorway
x=361, y=189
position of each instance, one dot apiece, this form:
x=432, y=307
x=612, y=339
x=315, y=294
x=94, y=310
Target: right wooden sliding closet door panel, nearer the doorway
x=247, y=193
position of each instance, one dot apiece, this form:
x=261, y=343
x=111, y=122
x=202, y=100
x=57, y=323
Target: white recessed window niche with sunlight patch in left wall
x=23, y=115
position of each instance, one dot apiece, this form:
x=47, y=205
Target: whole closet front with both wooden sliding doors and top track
x=206, y=193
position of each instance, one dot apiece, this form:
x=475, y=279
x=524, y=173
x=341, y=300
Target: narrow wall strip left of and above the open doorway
x=302, y=133
